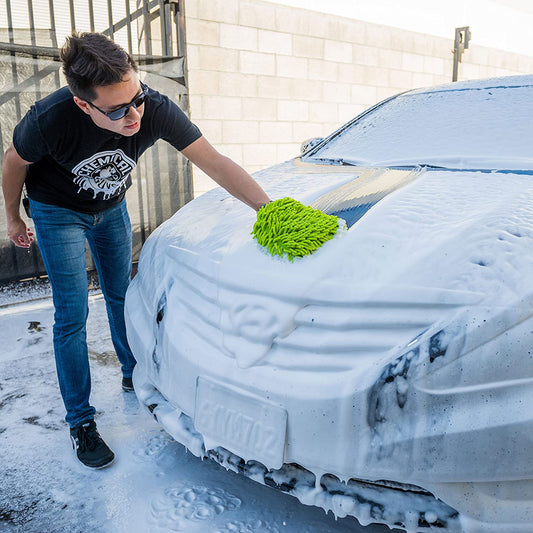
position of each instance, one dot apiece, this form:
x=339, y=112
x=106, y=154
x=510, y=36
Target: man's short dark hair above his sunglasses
x=93, y=60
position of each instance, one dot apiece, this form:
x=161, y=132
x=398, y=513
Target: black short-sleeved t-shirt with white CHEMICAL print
x=78, y=165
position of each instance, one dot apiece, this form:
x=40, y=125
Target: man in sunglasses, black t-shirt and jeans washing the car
x=75, y=150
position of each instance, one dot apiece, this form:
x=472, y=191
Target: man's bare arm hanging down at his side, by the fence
x=14, y=170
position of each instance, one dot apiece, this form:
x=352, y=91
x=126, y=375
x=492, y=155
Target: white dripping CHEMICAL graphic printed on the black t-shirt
x=104, y=172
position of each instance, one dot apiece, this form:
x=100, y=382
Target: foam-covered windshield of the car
x=468, y=125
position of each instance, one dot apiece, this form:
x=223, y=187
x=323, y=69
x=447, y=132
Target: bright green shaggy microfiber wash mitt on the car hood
x=287, y=227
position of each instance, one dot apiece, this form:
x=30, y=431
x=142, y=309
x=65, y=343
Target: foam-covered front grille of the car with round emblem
x=333, y=326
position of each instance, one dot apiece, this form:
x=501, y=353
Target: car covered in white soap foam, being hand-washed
x=389, y=374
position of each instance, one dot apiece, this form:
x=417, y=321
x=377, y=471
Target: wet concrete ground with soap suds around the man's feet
x=154, y=486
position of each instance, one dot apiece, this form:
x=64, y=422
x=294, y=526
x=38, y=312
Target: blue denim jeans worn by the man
x=61, y=234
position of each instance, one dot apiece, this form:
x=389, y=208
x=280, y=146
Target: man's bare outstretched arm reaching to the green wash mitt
x=226, y=173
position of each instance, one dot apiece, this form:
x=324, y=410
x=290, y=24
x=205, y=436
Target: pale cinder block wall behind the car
x=264, y=77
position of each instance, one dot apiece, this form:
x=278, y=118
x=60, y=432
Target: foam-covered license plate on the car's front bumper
x=244, y=424
